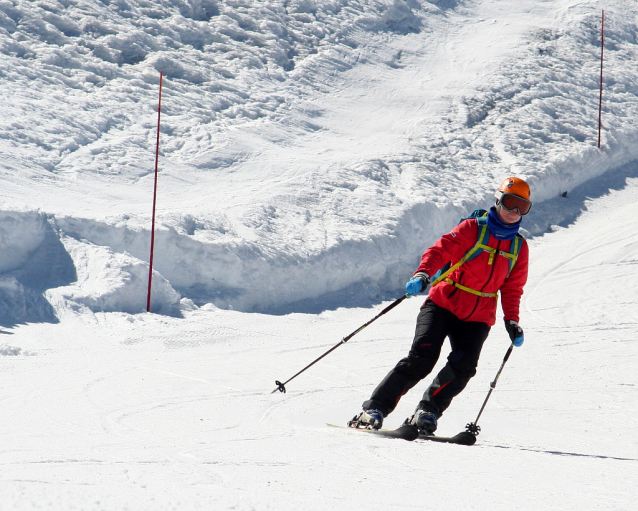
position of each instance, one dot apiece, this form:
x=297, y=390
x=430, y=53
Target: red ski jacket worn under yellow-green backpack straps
x=476, y=274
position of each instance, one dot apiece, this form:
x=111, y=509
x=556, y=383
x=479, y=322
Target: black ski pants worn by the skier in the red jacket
x=433, y=325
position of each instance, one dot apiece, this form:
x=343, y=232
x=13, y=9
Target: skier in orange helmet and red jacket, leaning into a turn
x=460, y=306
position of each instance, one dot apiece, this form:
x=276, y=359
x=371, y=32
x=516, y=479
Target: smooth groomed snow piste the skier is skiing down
x=118, y=411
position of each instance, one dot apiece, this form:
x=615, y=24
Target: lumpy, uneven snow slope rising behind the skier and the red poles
x=318, y=143
